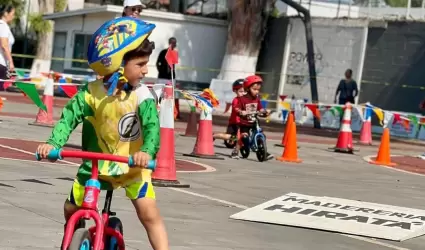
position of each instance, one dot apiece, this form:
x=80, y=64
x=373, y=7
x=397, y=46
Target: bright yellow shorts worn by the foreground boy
x=134, y=191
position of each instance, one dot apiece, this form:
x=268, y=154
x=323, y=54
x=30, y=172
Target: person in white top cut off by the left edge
x=7, y=14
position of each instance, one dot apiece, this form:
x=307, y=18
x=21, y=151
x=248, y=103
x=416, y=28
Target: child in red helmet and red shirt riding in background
x=249, y=105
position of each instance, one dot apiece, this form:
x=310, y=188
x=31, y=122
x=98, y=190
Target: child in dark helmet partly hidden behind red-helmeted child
x=233, y=126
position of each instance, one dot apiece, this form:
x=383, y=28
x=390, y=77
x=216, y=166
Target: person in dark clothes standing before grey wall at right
x=347, y=89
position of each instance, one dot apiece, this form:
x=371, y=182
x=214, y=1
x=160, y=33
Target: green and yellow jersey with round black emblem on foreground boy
x=122, y=124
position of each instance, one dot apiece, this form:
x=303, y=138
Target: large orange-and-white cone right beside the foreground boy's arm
x=165, y=173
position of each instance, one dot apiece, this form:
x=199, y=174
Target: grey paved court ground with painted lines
x=32, y=193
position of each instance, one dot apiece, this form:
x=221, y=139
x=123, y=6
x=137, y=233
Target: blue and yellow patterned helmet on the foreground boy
x=111, y=42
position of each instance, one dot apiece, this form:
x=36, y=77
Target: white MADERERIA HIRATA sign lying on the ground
x=339, y=215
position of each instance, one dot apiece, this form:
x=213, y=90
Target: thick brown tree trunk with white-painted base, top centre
x=248, y=22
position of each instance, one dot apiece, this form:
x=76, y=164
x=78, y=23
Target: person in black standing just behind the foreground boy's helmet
x=164, y=70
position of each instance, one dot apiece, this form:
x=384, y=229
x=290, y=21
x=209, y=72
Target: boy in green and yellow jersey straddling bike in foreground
x=119, y=117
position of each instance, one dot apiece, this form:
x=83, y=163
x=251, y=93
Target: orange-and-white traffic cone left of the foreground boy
x=45, y=119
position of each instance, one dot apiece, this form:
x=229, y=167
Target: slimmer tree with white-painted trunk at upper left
x=44, y=30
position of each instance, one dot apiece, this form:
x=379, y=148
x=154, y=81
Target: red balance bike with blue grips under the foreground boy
x=108, y=230
